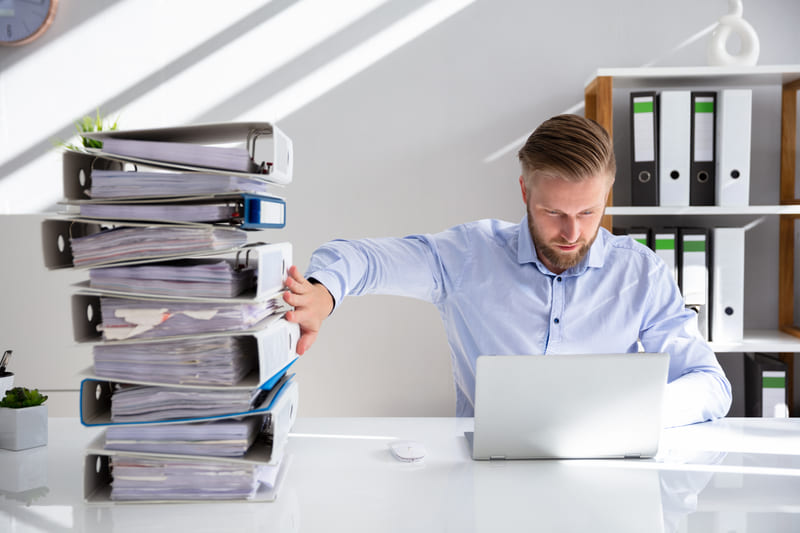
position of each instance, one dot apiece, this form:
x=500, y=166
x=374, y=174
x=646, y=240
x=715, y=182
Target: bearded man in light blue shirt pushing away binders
x=555, y=283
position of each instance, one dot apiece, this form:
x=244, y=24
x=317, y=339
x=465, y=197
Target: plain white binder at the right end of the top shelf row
x=734, y=115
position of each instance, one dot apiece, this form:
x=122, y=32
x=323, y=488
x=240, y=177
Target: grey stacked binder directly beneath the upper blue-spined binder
x=85, y=243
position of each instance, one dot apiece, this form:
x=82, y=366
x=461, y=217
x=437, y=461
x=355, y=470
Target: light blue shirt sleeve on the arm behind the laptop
x=697, y=389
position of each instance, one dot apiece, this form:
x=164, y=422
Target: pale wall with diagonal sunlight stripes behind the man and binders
x=405, y=115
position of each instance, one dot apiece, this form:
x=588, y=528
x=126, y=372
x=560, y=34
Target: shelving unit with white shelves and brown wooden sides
x=598, y=94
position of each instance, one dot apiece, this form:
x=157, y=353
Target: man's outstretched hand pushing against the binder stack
x=312, y=304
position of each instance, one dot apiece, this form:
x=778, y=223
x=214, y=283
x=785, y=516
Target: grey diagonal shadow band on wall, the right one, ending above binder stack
x=318, y=56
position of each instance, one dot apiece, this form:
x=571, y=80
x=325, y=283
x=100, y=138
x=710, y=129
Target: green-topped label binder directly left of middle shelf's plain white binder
x=693, y=260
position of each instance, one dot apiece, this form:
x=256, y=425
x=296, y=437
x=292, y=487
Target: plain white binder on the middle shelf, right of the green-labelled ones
x=727, y=282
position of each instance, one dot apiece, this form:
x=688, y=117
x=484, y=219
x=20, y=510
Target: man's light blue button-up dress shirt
x=495, y=297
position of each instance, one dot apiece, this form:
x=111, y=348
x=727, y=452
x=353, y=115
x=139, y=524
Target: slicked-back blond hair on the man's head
x=569, y=147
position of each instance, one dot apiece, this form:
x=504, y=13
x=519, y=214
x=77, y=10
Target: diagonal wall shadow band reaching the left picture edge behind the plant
x=150, y=82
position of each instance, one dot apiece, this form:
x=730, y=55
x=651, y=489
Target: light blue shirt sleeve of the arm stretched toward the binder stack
x=417, y=266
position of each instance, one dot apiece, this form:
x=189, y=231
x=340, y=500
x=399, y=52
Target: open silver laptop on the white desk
x=568, y=406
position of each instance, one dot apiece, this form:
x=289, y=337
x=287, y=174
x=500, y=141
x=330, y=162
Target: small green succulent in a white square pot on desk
x=23, y=419
